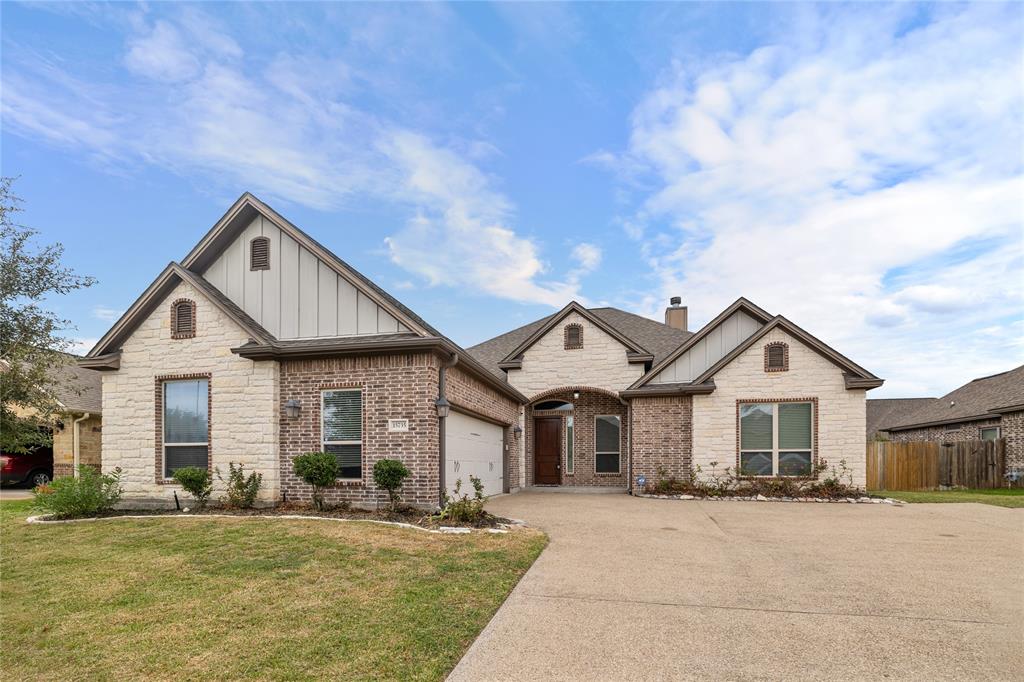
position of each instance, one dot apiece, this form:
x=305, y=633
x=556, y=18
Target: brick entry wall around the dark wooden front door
x=589, y=406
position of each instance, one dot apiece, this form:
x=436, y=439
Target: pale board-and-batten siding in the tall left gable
x=300, y=296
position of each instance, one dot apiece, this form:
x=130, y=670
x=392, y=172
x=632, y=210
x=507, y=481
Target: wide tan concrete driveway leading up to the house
x=659, y=589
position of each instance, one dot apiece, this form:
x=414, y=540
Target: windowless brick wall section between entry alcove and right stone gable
x=663, y=437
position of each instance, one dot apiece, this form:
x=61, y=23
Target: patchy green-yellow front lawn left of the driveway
x=187, y=599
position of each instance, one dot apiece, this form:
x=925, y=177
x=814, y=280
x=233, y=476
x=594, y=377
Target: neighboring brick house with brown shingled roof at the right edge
x=985, y=409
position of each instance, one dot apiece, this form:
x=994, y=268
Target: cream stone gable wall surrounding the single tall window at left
x=244, y=400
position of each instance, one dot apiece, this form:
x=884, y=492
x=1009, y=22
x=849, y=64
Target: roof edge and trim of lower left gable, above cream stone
x=153, y=296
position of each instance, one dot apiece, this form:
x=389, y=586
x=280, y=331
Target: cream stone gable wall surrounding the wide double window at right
x=841, y=413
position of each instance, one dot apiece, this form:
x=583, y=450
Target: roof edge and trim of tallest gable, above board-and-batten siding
x=248, y=207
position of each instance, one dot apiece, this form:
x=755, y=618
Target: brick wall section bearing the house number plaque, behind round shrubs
x=400, y=387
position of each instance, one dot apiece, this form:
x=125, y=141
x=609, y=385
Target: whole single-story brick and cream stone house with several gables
x=262, y=346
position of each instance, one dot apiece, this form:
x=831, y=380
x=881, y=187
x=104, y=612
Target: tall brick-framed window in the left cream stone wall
x=187, y=424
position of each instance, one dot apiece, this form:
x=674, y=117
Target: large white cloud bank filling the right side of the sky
x=835, y=184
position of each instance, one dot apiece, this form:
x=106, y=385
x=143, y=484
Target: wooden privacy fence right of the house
x=929, y=466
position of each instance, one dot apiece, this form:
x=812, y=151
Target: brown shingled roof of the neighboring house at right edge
x=985, y=398
